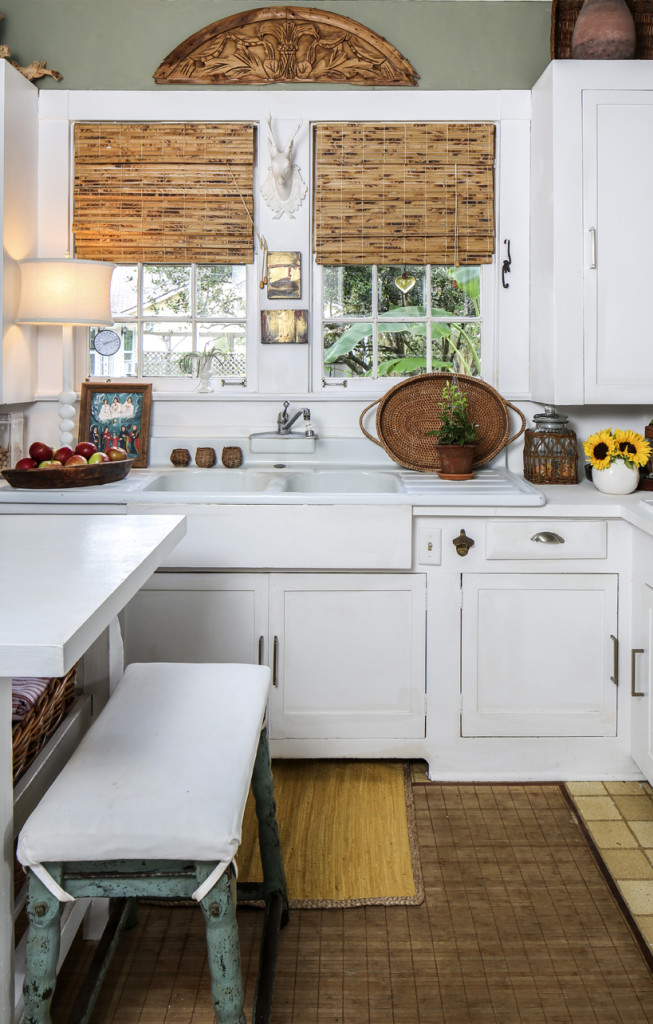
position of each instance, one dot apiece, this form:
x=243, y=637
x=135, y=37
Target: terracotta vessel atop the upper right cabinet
x=604, y=31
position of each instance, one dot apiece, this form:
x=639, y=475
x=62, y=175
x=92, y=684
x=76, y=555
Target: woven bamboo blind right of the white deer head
x=405, y=194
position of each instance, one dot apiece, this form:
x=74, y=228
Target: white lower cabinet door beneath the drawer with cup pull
x=538, y=655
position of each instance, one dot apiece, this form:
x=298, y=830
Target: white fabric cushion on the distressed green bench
x=163, y=774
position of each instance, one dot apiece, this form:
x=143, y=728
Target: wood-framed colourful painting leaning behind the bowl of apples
x=117, y=415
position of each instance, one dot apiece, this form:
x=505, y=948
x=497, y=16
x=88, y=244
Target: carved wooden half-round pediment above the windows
x=286, y=45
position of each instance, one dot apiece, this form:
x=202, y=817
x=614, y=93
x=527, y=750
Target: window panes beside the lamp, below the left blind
x=164, y=312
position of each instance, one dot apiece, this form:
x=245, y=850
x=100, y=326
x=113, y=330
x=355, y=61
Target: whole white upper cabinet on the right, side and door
x=592, y=219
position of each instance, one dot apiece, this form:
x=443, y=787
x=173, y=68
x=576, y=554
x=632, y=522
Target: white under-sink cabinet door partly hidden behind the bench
x=198, y=617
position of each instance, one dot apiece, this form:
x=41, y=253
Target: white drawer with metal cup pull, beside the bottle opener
x=547, y=539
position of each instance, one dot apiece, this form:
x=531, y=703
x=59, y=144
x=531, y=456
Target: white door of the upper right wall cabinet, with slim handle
x=619, y=229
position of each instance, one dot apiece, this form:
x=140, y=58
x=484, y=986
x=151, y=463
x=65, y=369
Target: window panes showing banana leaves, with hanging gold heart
x=381, y=322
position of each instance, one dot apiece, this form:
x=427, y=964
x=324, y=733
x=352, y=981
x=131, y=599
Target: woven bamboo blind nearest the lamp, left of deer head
x=164, y=193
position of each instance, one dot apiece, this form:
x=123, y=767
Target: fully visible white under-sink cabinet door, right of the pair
x=350, y=656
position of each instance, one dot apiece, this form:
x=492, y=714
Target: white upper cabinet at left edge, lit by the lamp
x=19, y=167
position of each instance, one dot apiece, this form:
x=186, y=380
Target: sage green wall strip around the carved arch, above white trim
x=118, y=45
